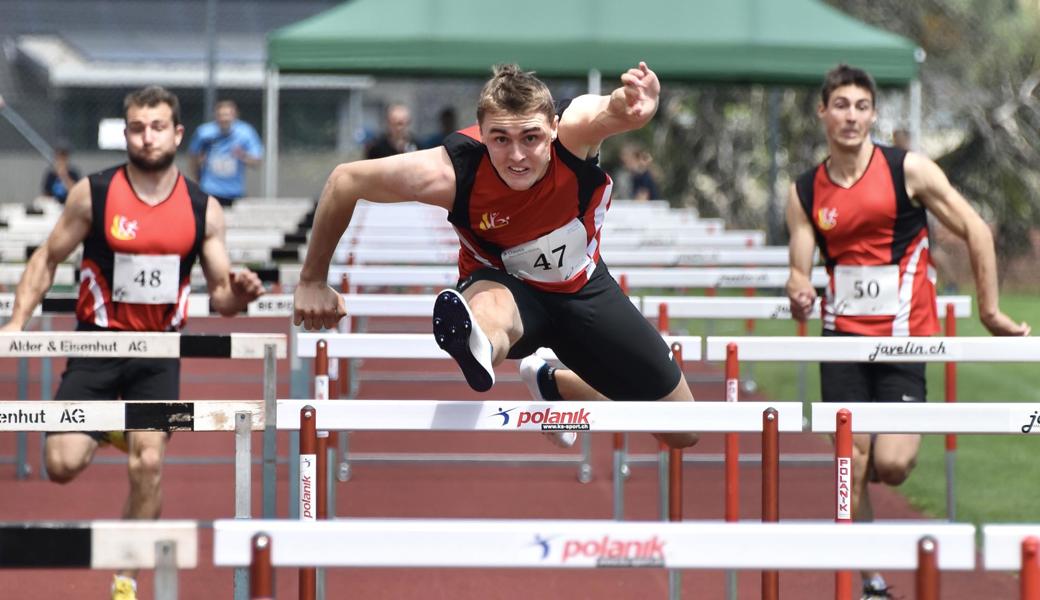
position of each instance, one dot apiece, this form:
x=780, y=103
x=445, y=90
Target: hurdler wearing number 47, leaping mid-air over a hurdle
x=528, y=199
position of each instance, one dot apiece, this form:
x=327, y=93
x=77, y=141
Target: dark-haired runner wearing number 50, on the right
x=867, y=208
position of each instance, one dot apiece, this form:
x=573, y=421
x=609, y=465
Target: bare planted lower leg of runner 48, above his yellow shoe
x=145, y=469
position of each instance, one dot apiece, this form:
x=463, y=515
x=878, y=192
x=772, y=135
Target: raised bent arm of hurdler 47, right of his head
x=590, y=120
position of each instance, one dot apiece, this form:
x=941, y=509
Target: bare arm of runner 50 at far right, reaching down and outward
x=927, y=184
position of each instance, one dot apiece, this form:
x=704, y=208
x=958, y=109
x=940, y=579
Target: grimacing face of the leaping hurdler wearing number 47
x=519, y=146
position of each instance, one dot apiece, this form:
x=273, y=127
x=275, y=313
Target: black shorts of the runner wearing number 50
x=872, y=382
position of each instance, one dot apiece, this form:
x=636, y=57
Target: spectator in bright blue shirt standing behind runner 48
x=221, y=151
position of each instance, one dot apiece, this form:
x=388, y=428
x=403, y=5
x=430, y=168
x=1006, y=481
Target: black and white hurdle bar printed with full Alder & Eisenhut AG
x=139, y=345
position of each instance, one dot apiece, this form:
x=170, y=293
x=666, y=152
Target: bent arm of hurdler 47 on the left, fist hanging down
x=425, y=176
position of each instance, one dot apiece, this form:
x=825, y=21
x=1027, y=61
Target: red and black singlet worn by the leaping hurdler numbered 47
x=490, y=218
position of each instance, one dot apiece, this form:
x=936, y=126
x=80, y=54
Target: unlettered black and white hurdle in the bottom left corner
x=165, y=546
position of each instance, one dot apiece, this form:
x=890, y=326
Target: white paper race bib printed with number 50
x=862, y=291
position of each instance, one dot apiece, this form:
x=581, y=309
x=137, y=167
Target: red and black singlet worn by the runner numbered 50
x=873, y=227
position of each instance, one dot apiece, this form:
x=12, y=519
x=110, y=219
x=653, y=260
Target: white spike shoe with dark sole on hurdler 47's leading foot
x=456, y=331
